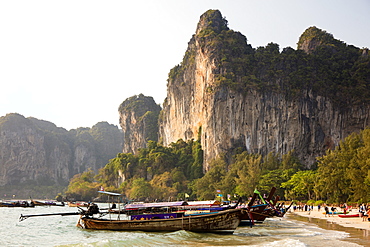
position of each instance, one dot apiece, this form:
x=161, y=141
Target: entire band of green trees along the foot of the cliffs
x=169, y=173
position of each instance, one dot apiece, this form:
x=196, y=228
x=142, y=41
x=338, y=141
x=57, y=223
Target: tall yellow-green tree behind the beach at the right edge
x=343, y=172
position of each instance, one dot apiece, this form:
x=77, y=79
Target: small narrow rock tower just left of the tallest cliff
x=139, y=122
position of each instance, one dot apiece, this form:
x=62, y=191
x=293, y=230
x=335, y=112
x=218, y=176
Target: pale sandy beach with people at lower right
x=355, y=222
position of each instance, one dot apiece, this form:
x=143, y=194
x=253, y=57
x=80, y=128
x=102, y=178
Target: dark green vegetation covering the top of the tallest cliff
x=321, y=64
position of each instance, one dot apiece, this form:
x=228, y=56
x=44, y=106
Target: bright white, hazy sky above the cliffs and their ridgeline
x=73, y=62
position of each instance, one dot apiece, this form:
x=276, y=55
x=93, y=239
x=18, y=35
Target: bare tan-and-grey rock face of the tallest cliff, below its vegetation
x=261, y=122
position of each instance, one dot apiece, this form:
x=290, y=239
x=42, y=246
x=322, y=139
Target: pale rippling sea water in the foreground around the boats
x=62, y=231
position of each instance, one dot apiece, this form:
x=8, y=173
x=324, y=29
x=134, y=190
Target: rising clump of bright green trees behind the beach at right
x=343, y=174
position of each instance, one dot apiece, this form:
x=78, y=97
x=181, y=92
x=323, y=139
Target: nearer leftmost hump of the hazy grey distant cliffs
x=28, y=154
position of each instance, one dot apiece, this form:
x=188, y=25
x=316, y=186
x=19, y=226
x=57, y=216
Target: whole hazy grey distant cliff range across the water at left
x=38, y=151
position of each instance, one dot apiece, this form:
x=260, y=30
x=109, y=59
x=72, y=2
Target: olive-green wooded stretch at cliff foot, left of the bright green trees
x=164, y=173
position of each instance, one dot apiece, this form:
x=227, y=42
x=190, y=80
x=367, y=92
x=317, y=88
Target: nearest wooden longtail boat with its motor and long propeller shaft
x=225, y=221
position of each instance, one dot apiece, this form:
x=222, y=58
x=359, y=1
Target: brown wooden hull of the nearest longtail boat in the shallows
x=220, y=222
